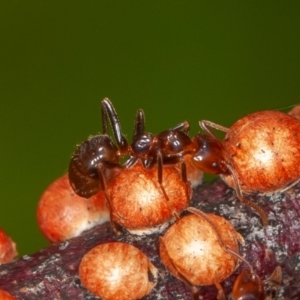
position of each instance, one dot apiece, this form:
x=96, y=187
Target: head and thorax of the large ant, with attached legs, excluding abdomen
x=171, y=146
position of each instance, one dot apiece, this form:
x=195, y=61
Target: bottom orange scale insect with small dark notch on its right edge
x=117, y=271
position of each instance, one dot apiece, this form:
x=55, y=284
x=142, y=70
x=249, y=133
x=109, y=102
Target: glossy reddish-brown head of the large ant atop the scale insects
x=208, y=155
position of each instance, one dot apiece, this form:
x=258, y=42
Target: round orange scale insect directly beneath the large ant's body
x=138, y=203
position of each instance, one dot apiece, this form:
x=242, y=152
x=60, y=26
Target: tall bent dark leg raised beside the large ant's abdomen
x=108, y=111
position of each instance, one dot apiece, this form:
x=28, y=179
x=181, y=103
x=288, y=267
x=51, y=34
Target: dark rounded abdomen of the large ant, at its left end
x=88, y=163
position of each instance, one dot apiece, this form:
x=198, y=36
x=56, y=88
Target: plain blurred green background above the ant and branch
x=178, y=60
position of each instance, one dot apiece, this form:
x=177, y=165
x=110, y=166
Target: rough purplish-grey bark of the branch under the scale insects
x=52, y=273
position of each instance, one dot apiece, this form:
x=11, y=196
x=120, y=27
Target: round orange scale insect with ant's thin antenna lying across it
x=194, y=249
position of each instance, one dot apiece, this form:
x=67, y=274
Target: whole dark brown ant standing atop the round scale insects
x=97, y=160
